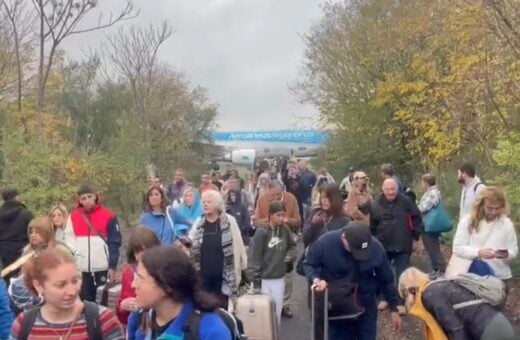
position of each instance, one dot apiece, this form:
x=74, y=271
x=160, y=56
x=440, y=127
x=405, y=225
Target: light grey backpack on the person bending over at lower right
x=488, y=289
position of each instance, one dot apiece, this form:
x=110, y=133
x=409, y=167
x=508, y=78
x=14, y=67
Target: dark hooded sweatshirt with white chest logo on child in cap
x=271, y=249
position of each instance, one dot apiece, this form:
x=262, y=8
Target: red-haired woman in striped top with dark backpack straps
x=54, y=275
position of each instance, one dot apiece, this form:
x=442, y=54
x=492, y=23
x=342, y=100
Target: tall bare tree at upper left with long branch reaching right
x=59, y=19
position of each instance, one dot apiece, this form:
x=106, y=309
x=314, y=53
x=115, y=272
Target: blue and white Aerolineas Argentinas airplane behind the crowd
x=245, y=147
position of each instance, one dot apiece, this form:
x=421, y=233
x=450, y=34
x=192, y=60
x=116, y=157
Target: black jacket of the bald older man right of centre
x=396, y=224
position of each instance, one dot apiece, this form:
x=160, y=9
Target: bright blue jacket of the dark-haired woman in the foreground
x=211, y=326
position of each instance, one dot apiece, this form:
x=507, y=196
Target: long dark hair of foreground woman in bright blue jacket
x=174, y=272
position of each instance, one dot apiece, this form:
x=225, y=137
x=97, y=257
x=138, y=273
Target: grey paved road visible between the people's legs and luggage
x=299, y=327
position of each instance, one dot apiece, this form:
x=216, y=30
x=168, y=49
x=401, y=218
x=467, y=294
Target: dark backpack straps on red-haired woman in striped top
x=91, y=316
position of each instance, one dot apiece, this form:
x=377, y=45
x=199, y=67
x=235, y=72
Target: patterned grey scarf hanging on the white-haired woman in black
x=229, y=281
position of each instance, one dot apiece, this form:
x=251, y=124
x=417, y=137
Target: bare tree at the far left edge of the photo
x=20, y=21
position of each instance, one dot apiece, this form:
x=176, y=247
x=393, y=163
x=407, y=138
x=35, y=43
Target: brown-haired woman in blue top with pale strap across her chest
x=162, y=218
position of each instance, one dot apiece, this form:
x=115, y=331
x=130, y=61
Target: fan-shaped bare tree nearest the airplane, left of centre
x=133, y=52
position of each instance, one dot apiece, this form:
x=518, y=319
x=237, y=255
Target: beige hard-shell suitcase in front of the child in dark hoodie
x=258, y=314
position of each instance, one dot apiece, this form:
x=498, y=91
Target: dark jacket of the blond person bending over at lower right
x=462, y=324
